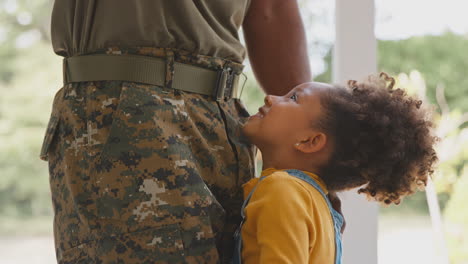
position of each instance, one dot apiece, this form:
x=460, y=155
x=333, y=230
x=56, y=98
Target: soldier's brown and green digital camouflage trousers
x=145, y=174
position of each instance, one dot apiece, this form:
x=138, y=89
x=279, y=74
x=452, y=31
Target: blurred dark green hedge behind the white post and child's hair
x=437, y=58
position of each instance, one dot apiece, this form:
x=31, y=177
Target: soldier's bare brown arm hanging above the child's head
x=276, y=45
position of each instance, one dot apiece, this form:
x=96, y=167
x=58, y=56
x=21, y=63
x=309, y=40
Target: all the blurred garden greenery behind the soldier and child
x=433, y=66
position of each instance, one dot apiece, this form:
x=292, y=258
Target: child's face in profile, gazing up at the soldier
x=283, y=120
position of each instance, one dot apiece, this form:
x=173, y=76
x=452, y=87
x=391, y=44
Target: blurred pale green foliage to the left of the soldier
x=29, y=76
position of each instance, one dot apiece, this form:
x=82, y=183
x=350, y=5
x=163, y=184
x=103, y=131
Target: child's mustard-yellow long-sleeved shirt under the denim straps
x=287, y=221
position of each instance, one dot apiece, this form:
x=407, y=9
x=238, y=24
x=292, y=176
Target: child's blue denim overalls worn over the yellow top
x=337, y=218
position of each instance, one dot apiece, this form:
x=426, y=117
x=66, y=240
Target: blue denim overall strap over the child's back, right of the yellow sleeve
x=336, y=217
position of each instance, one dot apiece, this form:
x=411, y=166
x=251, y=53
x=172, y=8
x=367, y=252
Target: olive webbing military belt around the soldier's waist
x=221, y=84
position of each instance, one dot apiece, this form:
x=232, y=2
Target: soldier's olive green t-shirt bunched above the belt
x=204, y=27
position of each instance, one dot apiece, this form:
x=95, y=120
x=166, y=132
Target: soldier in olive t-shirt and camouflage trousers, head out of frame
x=145, y=154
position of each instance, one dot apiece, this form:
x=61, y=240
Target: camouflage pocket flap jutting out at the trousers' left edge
x=51, y=126
